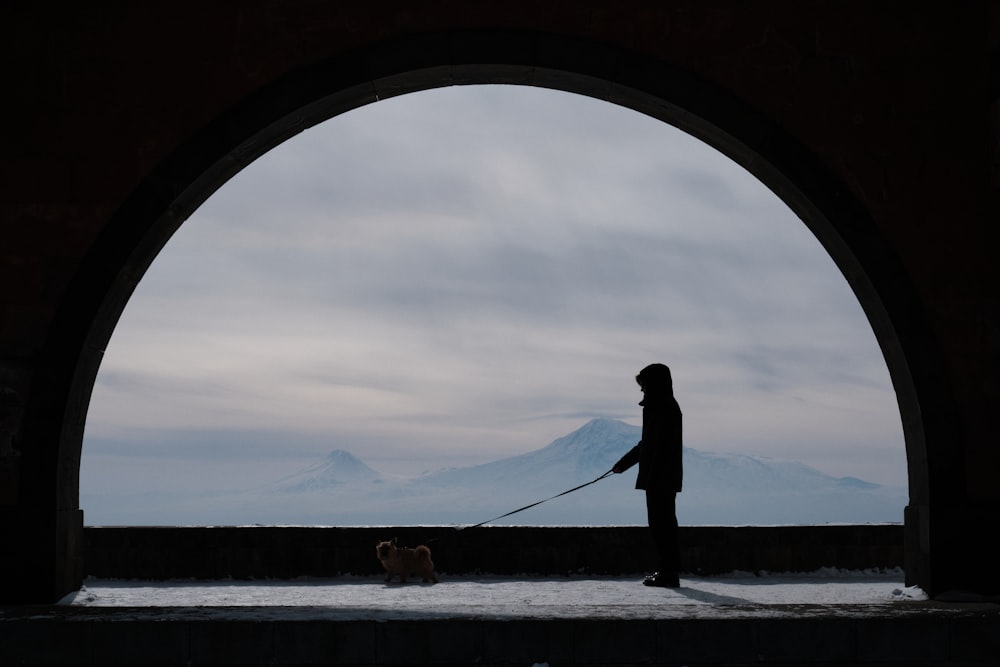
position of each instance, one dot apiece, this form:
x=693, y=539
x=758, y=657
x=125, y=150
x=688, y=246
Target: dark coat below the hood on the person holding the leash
x=658, y=453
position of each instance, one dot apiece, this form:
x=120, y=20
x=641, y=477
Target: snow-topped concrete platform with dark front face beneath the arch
x=839, y=619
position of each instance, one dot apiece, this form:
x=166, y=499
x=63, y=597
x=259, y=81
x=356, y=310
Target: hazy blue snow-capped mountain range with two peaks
x=719, y=489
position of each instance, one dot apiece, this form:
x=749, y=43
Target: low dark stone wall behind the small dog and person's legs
x=258, y=552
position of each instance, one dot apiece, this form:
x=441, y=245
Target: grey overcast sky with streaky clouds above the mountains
x=459, y=275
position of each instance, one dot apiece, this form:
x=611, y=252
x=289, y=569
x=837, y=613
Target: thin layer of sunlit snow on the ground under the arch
x=363, y=598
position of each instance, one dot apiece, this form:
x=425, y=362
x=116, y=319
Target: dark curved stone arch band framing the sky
x=311, y=94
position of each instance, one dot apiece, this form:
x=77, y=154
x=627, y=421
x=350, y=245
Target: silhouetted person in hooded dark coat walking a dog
x=658, y=454
